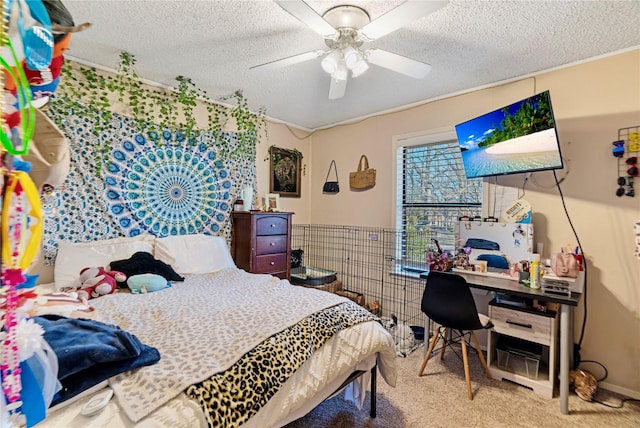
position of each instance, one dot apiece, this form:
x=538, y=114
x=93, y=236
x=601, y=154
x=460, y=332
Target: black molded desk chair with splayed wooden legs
x=447, y=300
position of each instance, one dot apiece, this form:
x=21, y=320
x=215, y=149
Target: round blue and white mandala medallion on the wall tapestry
x=167, y=190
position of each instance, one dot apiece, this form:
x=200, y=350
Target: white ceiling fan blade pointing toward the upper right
x=398, y=17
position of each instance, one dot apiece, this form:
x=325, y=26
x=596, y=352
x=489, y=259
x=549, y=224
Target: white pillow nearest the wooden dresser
x=197, y=253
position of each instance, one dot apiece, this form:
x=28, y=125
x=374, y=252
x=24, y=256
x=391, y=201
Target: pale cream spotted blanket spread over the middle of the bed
x=201, y=327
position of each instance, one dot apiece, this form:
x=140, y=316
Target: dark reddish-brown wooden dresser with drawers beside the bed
x=261, y=242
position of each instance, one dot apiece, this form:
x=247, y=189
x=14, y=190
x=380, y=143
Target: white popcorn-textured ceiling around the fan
x=468, y=43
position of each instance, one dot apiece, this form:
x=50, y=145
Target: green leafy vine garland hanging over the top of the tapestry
x=95, y=96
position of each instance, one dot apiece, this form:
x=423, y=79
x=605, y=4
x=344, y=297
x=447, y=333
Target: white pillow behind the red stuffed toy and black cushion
x=73, y=256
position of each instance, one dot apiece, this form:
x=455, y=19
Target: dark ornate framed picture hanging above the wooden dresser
x=285, y=172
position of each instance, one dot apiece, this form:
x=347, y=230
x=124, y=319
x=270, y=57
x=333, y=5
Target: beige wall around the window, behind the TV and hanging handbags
x=591, y=102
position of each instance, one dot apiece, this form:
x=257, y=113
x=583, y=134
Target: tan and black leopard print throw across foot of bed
x=230, y=398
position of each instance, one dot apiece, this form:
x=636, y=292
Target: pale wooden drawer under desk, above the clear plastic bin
x=525, y=325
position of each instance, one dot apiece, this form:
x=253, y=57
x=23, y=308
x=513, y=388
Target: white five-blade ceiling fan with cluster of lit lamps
x=345, y=29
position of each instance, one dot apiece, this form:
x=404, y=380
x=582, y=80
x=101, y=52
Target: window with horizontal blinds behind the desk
x=432, y=193
